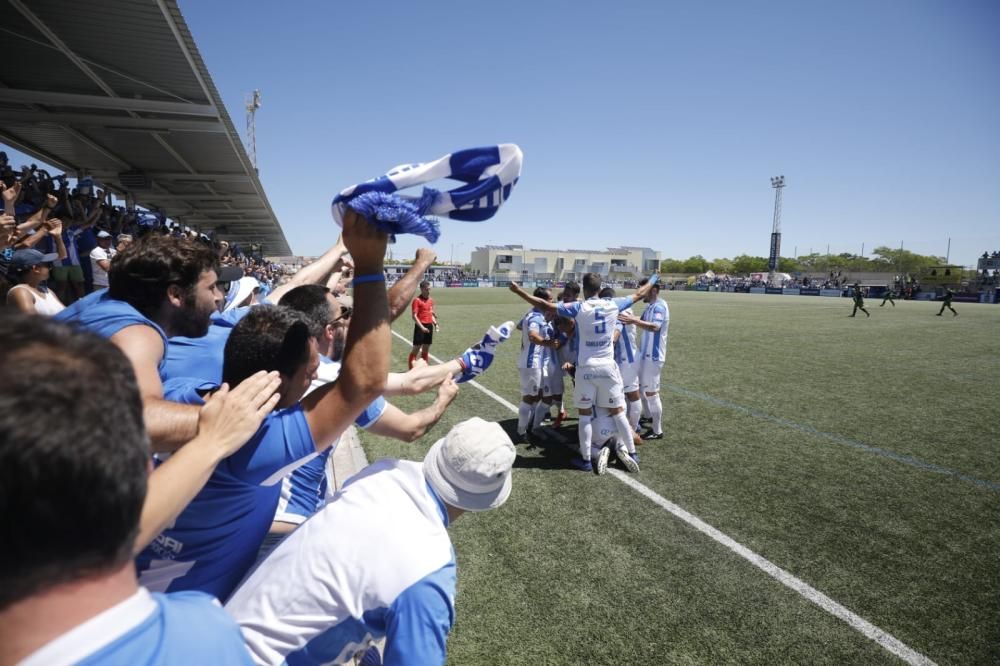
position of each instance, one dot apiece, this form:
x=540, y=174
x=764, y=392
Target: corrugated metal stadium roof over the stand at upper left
x=117, y=90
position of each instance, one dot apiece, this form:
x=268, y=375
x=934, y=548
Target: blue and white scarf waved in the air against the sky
x=489, y=174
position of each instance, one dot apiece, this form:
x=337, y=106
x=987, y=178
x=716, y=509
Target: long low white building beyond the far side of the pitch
x=516, y=262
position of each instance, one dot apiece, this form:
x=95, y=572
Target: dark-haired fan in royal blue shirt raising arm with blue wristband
x=215, y=539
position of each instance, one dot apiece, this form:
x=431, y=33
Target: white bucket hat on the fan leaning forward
x=469, y=468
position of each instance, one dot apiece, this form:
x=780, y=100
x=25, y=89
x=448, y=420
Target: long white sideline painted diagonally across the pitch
x=866, y=628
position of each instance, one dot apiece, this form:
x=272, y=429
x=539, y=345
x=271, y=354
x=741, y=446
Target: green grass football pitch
x=859, y=455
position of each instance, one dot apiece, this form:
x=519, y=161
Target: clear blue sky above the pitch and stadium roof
x=642, y=123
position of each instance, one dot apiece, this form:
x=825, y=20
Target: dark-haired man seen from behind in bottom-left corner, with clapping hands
x=73, y=482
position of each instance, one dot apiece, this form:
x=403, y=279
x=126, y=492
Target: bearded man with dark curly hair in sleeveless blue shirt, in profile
x=158, y=288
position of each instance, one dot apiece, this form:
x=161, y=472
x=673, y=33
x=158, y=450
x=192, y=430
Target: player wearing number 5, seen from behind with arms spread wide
x=598, y=382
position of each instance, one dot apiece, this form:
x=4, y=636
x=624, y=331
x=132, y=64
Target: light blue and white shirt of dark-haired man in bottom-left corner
x=160, y=629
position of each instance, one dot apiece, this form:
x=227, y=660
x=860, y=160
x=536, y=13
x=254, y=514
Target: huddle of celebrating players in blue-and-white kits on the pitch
x=614, y=370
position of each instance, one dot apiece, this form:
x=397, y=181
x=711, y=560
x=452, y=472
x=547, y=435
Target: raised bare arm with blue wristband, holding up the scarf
x=331, y=409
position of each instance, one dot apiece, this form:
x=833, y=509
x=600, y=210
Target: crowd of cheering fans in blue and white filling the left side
x=232, y=382
